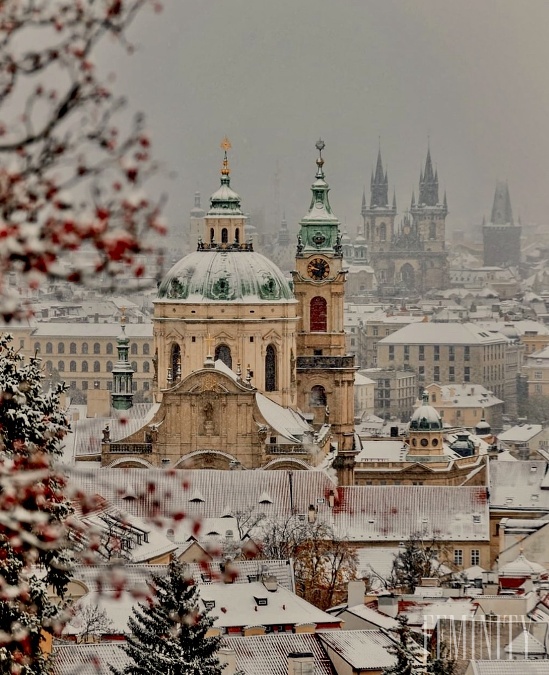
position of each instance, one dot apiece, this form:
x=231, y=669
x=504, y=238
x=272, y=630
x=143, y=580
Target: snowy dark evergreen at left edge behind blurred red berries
x=32, y=512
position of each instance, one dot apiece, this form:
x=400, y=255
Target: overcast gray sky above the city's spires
x=274, y=76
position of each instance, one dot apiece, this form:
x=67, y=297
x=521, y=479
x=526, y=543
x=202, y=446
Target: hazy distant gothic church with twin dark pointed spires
x=410, y=257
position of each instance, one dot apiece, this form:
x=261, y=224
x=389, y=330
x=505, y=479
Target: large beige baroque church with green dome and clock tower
x=250, y=371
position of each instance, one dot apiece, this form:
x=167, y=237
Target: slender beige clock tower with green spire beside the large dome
x=325, y=372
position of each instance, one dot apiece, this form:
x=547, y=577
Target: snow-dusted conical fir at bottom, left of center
x=168, y=635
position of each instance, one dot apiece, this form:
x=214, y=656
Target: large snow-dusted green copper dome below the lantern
x=225, y=276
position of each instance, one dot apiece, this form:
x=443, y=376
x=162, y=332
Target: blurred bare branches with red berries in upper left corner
x=73, y=163
